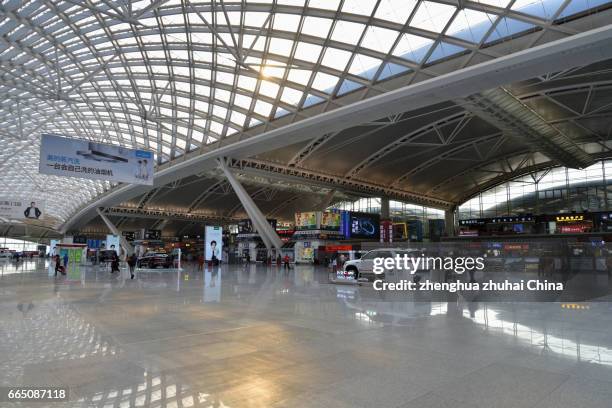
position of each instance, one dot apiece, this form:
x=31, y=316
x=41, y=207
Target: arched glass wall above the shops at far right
x=549, y=191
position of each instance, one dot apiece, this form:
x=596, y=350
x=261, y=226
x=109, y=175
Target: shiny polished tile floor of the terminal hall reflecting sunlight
x=264, y=337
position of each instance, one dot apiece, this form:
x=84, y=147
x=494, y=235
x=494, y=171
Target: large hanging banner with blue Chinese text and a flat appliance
x=62, y=156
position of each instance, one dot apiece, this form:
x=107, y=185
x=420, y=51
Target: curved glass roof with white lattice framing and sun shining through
x=179, y=76
